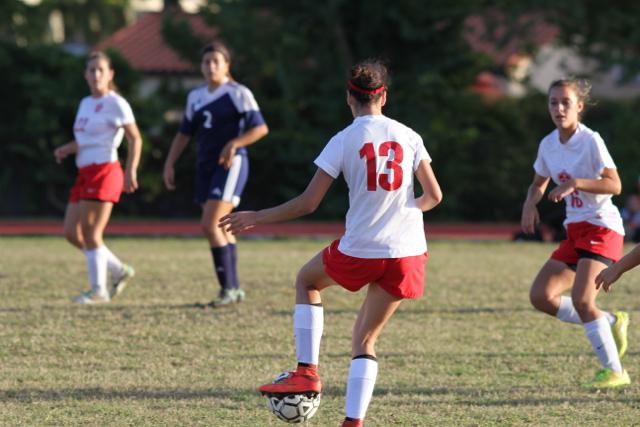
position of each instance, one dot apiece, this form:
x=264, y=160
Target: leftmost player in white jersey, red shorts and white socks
x=102, y=120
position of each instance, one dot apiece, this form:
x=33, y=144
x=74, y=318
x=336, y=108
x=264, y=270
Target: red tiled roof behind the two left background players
x=142, y=45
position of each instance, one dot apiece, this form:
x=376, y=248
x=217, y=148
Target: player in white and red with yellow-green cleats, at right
x=577, y=160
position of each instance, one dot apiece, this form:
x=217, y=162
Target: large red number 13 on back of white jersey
x=368, y=152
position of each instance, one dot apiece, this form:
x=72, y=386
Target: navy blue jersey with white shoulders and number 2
x=216, y=117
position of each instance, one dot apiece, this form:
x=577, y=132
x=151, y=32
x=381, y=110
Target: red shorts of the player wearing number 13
x=401, y=277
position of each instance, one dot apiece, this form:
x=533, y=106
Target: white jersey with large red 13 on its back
x=378, y=157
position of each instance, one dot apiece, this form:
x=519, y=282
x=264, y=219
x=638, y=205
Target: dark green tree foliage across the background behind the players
x=294, y=56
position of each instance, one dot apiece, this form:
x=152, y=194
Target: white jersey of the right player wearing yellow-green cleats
x=584, y=156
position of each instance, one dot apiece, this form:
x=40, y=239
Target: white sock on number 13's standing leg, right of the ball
x=362, y=380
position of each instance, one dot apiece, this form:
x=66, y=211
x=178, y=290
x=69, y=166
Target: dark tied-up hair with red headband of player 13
x=368, y=79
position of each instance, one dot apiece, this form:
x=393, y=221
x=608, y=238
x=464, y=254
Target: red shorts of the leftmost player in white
x=104, y=182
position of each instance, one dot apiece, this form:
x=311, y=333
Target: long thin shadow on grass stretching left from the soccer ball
x=31, y=394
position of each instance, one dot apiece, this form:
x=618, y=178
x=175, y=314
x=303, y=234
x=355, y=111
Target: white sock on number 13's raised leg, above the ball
x=308, y=322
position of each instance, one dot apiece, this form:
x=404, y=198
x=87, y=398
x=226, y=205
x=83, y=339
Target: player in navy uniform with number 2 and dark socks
x=224, y=118
